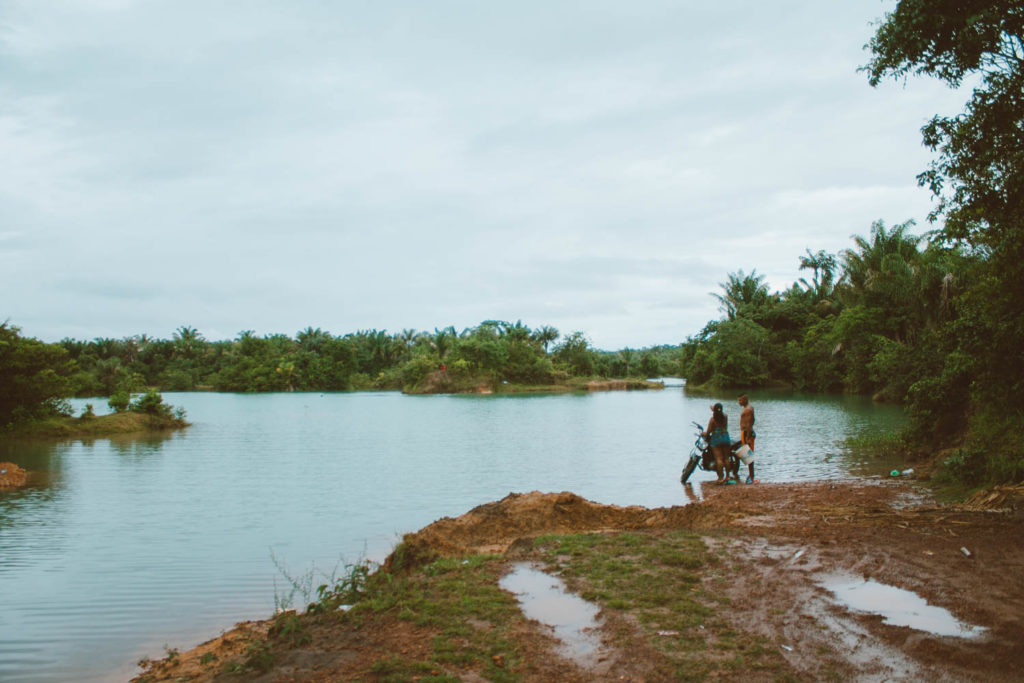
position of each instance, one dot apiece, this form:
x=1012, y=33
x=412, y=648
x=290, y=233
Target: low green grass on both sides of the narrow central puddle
x=669, y=582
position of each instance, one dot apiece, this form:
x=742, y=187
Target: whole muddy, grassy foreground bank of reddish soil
x=733, y=587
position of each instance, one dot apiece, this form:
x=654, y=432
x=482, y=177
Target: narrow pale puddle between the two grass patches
x=544, y=599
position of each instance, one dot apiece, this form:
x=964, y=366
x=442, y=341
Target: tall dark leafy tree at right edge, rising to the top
x=977, y=180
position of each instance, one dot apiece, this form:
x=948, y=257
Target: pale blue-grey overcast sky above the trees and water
x=348, y=165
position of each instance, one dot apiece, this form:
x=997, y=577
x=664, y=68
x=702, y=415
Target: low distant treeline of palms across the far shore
x=496, y=352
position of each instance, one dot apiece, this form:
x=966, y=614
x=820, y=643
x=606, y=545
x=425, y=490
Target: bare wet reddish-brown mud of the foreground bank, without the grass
x=781, y=545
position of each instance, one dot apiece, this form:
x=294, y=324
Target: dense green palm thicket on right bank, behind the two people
x=873, y=320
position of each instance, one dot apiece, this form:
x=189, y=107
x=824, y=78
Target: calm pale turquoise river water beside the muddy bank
x=121, y=547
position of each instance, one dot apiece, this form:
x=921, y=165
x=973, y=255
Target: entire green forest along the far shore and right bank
x=932, y=320
